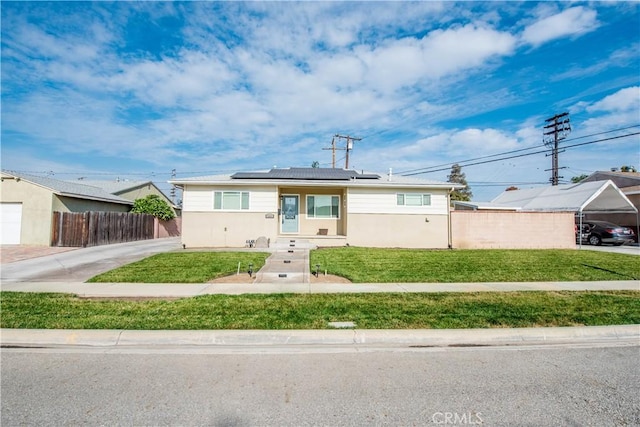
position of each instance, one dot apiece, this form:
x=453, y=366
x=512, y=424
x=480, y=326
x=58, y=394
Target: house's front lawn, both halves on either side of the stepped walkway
x=369, y=265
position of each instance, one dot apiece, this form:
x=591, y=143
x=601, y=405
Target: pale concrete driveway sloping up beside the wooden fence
x=80, y=264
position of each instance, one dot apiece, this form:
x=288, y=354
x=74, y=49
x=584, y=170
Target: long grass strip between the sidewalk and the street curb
x=314, y=311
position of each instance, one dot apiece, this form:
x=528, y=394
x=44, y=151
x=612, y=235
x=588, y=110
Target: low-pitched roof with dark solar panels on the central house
x=328, y=177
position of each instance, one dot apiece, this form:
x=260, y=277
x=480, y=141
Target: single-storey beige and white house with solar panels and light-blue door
x=329, y=207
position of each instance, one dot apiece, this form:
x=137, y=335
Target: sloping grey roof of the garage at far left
x=69, y=189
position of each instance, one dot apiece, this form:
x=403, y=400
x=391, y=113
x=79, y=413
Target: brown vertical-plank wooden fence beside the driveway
x=82, y=229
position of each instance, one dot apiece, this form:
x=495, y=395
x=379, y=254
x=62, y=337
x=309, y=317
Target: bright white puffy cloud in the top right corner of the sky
x=571, y=22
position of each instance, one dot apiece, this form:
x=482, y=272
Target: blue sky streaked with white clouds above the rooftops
x=134, y=90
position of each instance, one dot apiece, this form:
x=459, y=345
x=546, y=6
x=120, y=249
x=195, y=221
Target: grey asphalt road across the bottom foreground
x=492, y=386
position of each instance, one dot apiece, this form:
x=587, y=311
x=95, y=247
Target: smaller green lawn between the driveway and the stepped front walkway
x=183, y=267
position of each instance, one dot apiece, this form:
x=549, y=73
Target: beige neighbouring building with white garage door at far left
x=27, y=204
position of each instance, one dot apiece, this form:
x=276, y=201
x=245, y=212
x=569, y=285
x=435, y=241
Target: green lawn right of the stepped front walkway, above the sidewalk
x=370, y=265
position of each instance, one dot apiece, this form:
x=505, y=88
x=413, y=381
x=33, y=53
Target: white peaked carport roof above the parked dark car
x=597, y=196
